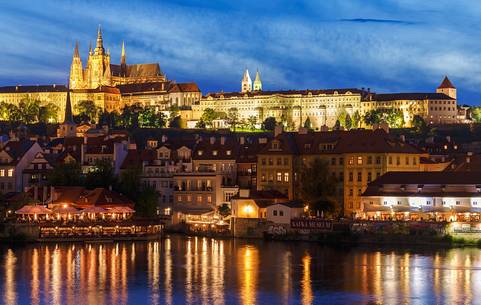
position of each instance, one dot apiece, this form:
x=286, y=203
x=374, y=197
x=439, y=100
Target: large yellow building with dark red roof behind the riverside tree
x=355, y=158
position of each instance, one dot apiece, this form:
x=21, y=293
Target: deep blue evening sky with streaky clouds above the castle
x=389, y=46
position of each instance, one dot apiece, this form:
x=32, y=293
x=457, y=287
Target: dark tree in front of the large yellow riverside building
x=317, y=187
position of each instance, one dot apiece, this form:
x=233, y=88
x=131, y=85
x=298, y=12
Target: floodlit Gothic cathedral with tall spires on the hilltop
x=100, y=72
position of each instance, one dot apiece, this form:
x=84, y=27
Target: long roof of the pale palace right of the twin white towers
x=285, y=92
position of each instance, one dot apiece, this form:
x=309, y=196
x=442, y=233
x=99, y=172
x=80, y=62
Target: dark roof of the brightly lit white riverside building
x=429, y=178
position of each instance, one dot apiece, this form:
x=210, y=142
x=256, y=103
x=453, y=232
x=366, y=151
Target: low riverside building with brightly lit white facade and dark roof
x=440, y=196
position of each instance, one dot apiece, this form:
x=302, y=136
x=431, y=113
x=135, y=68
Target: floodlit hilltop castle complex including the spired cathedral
x=113, y=86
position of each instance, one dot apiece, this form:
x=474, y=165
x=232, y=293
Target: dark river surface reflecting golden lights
x=183, y=270
